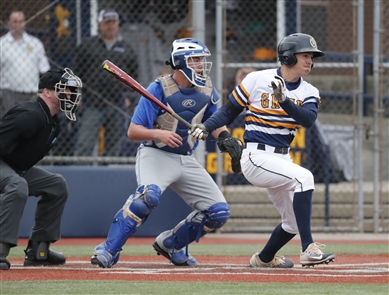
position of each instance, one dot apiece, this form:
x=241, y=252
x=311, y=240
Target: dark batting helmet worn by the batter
x=296, y=43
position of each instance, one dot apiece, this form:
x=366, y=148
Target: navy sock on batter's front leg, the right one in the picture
x=302, y=206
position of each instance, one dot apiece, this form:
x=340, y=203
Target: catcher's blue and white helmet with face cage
x=181, y=53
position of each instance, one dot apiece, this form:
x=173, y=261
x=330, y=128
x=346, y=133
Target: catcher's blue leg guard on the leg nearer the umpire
x=134, y=212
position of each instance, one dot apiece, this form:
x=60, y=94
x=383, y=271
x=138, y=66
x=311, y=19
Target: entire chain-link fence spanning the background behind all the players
x=250, y=33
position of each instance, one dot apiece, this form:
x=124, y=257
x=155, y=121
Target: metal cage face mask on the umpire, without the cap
x=68, y=92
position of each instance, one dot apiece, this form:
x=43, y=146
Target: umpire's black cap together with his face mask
x=67, y=88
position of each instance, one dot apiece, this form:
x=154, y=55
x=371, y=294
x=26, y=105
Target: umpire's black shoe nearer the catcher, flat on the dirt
x=38, y=254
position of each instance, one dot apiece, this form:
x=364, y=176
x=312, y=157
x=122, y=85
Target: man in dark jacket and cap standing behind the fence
x=103, y=95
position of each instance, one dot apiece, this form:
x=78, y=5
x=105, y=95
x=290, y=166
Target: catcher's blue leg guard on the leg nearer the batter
x=196, y=225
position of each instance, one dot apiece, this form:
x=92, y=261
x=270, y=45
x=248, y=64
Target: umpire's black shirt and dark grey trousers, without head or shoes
x=27, y=133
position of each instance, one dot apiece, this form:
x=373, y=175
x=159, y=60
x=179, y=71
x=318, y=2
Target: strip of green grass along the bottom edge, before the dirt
x=189, y=288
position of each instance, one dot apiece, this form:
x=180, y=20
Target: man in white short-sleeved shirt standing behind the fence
x=23, y=59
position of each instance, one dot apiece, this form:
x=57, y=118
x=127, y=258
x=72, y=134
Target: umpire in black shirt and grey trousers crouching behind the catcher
x=28, y=132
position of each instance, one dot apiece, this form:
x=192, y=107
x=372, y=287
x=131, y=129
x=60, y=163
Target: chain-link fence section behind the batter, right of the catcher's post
x=352, y=130
